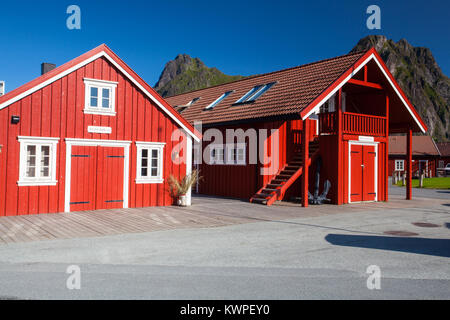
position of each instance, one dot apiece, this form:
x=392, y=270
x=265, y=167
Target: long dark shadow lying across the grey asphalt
x=433, y=247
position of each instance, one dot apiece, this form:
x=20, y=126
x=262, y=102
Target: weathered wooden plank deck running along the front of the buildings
x=206, y=212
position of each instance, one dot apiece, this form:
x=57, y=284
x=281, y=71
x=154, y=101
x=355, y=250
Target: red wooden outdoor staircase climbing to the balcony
x=276, y=188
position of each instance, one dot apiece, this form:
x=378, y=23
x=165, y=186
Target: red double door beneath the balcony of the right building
x=362, y=173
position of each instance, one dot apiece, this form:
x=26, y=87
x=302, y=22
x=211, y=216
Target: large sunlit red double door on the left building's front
x=97, y=175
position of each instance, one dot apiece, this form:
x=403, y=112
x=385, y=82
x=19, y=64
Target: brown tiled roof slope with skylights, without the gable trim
x=294, y=90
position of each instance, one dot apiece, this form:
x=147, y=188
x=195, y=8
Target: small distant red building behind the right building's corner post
x=425, y=156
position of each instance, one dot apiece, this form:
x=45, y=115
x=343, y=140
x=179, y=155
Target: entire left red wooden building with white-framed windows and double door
x=90, y=134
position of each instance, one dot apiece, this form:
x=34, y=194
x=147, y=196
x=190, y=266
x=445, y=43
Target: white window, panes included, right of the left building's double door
x=149, y=162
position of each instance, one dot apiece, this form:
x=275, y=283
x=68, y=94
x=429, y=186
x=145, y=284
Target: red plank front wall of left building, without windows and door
x=57, y=111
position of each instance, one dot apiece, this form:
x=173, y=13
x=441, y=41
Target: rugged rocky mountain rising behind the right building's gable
x=420, y=77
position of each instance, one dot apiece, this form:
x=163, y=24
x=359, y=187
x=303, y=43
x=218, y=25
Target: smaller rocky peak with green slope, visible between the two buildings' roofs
x=186, y=74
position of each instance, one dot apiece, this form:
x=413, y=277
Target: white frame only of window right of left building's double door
x=149, y=146
